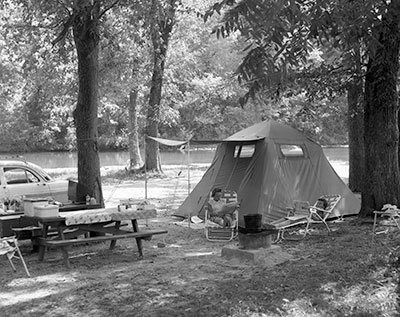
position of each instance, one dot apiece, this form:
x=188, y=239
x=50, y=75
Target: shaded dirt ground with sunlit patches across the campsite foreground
x=349, y=272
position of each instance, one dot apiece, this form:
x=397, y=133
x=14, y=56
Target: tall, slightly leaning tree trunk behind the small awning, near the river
x=161, y=28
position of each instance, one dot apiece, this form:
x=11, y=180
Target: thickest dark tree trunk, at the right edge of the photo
x=381, y=131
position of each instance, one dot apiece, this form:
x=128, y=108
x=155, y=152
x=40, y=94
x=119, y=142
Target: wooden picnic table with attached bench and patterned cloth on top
x=77, y=227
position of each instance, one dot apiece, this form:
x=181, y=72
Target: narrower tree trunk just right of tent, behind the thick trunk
x=355, y=98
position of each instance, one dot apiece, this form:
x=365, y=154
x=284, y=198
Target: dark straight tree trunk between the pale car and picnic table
x=86, y=37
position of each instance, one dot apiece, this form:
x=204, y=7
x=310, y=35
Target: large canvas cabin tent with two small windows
x=270, y=165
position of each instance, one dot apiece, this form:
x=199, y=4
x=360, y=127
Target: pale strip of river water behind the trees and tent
x=337, y=156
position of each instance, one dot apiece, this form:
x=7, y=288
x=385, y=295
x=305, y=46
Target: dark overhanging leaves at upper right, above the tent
x=282, y=34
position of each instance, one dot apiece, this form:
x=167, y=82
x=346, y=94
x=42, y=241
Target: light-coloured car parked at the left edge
x=20, y=180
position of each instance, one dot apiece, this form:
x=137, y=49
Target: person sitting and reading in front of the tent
x=221, y=212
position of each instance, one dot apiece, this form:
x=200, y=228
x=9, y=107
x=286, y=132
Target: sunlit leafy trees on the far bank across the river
x=201, y=96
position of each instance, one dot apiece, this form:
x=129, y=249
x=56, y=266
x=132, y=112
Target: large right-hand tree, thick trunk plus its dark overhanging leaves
x=280, y=34
